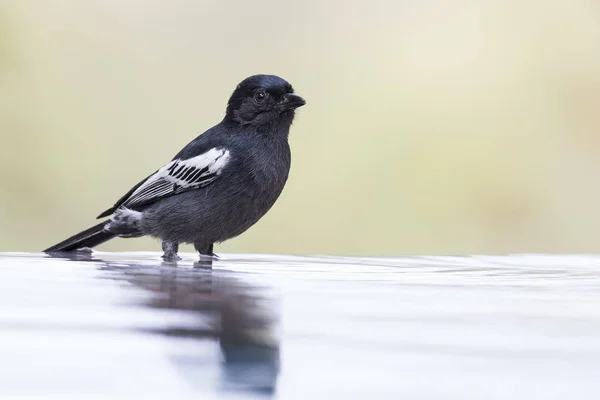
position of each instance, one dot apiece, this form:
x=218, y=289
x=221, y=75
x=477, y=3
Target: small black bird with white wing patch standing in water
x=218, y=186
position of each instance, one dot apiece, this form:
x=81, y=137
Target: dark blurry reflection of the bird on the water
x=240, y=316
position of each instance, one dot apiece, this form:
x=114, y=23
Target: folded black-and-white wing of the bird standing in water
x=177, y=176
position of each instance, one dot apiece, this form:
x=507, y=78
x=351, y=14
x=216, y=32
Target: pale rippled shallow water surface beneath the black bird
x=124, y=325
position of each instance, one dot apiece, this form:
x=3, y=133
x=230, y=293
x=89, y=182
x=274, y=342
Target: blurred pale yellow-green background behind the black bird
x=432, y=127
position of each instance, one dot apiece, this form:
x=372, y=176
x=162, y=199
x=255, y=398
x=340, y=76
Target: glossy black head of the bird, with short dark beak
x=263, y=101
